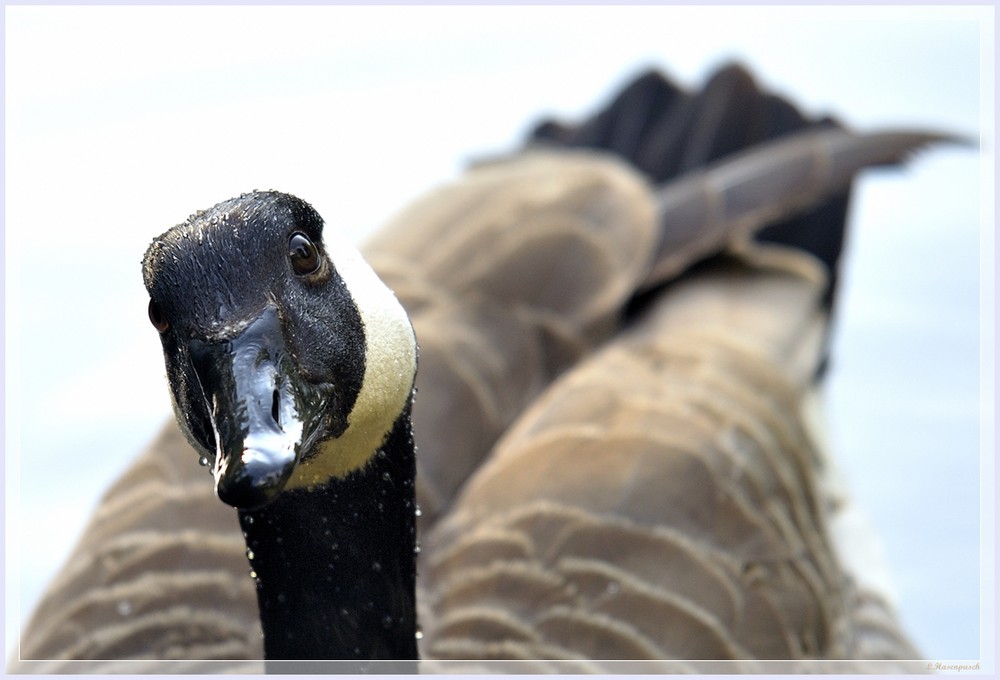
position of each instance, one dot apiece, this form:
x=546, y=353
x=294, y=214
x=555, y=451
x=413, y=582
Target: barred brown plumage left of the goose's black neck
x=158, y=579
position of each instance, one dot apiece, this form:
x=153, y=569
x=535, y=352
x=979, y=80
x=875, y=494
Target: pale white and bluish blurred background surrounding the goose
x=121, y=121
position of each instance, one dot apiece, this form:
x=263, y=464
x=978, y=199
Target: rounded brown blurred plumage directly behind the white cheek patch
x=509, y=277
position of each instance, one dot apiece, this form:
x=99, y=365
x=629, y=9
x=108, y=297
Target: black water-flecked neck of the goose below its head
x=335, y=566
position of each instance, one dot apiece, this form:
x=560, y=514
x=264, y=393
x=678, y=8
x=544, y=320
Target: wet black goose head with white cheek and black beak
x=288, y=360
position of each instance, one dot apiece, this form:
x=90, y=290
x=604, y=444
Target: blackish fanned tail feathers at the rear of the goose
x=668, y=134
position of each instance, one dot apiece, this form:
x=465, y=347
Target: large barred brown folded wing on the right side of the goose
x=661, y=501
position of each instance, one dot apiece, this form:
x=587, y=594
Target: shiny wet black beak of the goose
x=256, y=408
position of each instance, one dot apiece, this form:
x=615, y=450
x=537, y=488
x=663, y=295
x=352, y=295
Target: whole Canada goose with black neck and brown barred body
x=478, y=537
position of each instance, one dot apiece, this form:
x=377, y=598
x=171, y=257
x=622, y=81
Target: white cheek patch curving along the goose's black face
x=390, y=368
